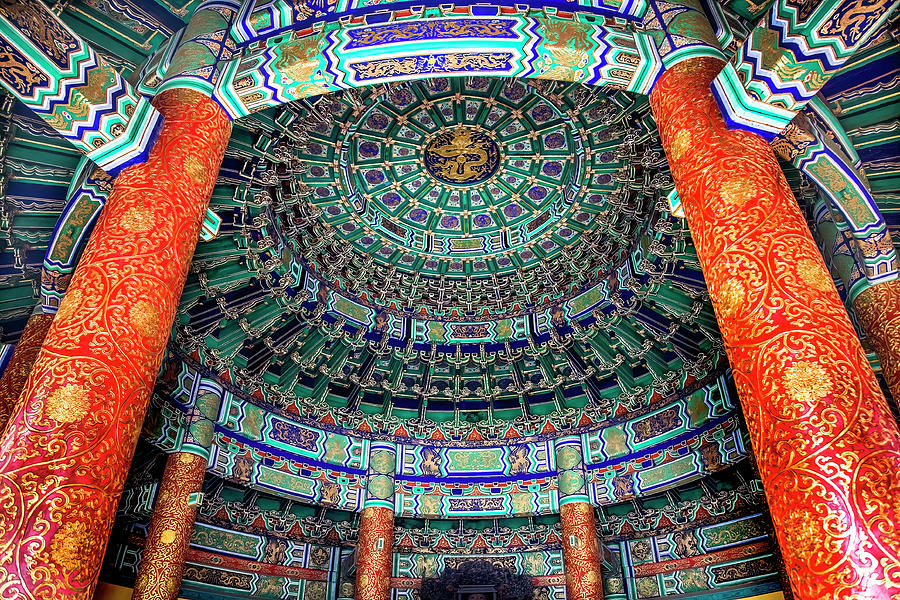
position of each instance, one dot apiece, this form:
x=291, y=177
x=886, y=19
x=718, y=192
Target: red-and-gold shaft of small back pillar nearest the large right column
x=581, y=554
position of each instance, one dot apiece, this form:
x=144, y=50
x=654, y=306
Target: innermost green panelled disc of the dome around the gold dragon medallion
x=380, y=201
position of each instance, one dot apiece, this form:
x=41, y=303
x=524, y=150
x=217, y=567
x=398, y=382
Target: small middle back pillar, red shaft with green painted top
x=375, y=549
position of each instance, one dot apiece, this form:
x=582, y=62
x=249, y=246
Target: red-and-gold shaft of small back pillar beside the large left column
x=169, y=537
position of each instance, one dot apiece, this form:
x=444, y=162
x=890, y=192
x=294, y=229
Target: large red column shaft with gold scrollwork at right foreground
x=826, y=444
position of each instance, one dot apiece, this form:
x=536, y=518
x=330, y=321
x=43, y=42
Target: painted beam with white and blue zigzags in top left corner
x=55, y=73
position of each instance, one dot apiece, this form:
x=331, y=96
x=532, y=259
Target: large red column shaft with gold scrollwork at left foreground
x=47, y=467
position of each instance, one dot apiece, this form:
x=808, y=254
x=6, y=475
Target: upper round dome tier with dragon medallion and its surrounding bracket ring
x=470, y=189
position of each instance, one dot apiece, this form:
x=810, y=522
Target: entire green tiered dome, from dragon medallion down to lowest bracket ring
x=456, y=251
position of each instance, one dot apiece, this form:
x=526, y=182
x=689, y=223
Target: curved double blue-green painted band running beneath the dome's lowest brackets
x=676, y=443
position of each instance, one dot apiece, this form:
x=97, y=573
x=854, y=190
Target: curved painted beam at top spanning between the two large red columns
x=434, y=43
